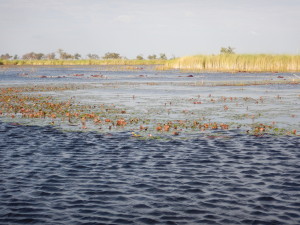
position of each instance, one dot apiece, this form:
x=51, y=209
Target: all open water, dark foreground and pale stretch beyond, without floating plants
x=53, y=176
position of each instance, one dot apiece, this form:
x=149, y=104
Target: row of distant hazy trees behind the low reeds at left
x=63, y=55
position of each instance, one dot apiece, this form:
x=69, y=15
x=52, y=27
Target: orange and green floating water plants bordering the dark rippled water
x=29, y=102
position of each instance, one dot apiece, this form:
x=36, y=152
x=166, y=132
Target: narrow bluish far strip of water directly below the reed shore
x=29, y=74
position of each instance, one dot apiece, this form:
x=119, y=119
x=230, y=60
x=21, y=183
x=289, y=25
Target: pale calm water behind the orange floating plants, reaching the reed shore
x=164, y=95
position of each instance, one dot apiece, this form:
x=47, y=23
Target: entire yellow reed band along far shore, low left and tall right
x=197, y=63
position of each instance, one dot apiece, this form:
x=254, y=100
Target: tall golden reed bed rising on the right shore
x=236, y=63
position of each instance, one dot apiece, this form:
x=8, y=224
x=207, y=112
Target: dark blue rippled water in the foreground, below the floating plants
x=54, y=177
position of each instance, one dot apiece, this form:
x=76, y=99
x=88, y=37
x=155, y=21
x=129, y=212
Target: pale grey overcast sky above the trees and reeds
x=132, y=27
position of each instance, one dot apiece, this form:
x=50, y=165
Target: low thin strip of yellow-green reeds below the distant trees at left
x=58, y=62
